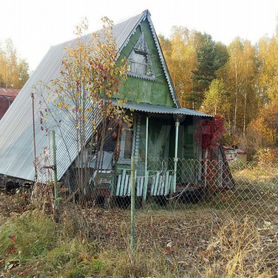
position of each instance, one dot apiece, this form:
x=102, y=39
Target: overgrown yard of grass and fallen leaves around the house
x=232, y=235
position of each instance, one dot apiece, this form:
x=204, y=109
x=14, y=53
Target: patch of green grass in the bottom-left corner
x=31, y=244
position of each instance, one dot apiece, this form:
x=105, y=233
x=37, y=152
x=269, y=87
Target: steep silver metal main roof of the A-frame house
x=16, y=129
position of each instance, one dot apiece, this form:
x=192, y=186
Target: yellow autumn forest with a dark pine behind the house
x=238, y=81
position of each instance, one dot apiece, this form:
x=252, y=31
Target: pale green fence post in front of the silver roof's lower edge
x=56, y=189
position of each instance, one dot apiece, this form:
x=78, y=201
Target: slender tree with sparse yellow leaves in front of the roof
x=90, y=79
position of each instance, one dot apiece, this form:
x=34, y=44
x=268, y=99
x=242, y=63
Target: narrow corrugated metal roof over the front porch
x=157, y=109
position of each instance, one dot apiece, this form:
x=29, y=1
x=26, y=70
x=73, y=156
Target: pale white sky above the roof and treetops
x=35, y=25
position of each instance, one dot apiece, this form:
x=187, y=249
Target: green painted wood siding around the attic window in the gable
x=140, y=90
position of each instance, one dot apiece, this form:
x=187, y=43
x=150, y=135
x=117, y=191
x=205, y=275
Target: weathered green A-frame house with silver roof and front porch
x=162, y=135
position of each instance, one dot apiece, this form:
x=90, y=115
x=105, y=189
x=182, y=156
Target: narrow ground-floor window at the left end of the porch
x=126, y=143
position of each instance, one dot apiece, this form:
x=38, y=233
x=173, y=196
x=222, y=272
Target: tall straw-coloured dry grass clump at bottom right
x=237, y=251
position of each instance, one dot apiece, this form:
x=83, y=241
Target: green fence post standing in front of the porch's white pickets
x=132, y=212
